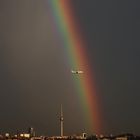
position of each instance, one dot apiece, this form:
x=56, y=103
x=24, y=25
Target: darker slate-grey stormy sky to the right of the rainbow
x=112, y=32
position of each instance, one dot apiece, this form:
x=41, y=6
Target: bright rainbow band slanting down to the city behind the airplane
x=71, y=36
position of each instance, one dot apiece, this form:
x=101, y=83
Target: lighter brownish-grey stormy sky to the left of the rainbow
x=35, y=78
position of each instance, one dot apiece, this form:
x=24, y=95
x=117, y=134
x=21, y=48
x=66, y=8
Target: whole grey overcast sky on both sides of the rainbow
x=34, y=75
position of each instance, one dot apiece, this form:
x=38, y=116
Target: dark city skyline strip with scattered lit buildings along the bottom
x=74, y=137
